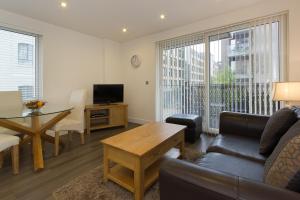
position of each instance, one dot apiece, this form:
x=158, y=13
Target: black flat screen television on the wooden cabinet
x=108, y=93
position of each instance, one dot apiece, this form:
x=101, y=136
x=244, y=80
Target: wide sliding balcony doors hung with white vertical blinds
x=226, y=69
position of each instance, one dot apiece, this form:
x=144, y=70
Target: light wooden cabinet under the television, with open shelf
x=105, y=116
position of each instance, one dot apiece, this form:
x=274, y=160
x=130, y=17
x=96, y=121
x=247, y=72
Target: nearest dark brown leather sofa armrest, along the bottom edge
x=182, y=180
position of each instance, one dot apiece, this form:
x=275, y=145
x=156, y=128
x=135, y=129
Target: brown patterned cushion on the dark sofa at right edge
x=282, y=168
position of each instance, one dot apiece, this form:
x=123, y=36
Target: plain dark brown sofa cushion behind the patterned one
x=275, y=128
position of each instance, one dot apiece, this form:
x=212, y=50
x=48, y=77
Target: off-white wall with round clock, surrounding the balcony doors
x=141, y=97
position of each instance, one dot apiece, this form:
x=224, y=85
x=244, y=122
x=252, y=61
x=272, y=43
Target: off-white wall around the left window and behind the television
x=70, y=59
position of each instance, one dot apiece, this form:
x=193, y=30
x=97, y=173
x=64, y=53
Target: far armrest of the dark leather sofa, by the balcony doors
x=242, y=124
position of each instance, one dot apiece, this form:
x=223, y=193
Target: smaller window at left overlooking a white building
x=19, y=68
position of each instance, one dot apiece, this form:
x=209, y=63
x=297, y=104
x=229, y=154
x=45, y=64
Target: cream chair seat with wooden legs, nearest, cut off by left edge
x=10, y=141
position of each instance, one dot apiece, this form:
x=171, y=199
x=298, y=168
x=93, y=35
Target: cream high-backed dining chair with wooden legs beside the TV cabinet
x=73, y=122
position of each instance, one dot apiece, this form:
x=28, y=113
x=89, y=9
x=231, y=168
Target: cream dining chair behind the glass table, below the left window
x=11, y=99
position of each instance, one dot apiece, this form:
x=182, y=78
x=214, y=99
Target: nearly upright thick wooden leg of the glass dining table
x=38, y=159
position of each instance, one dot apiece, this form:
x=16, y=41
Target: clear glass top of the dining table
x=23, y=112
